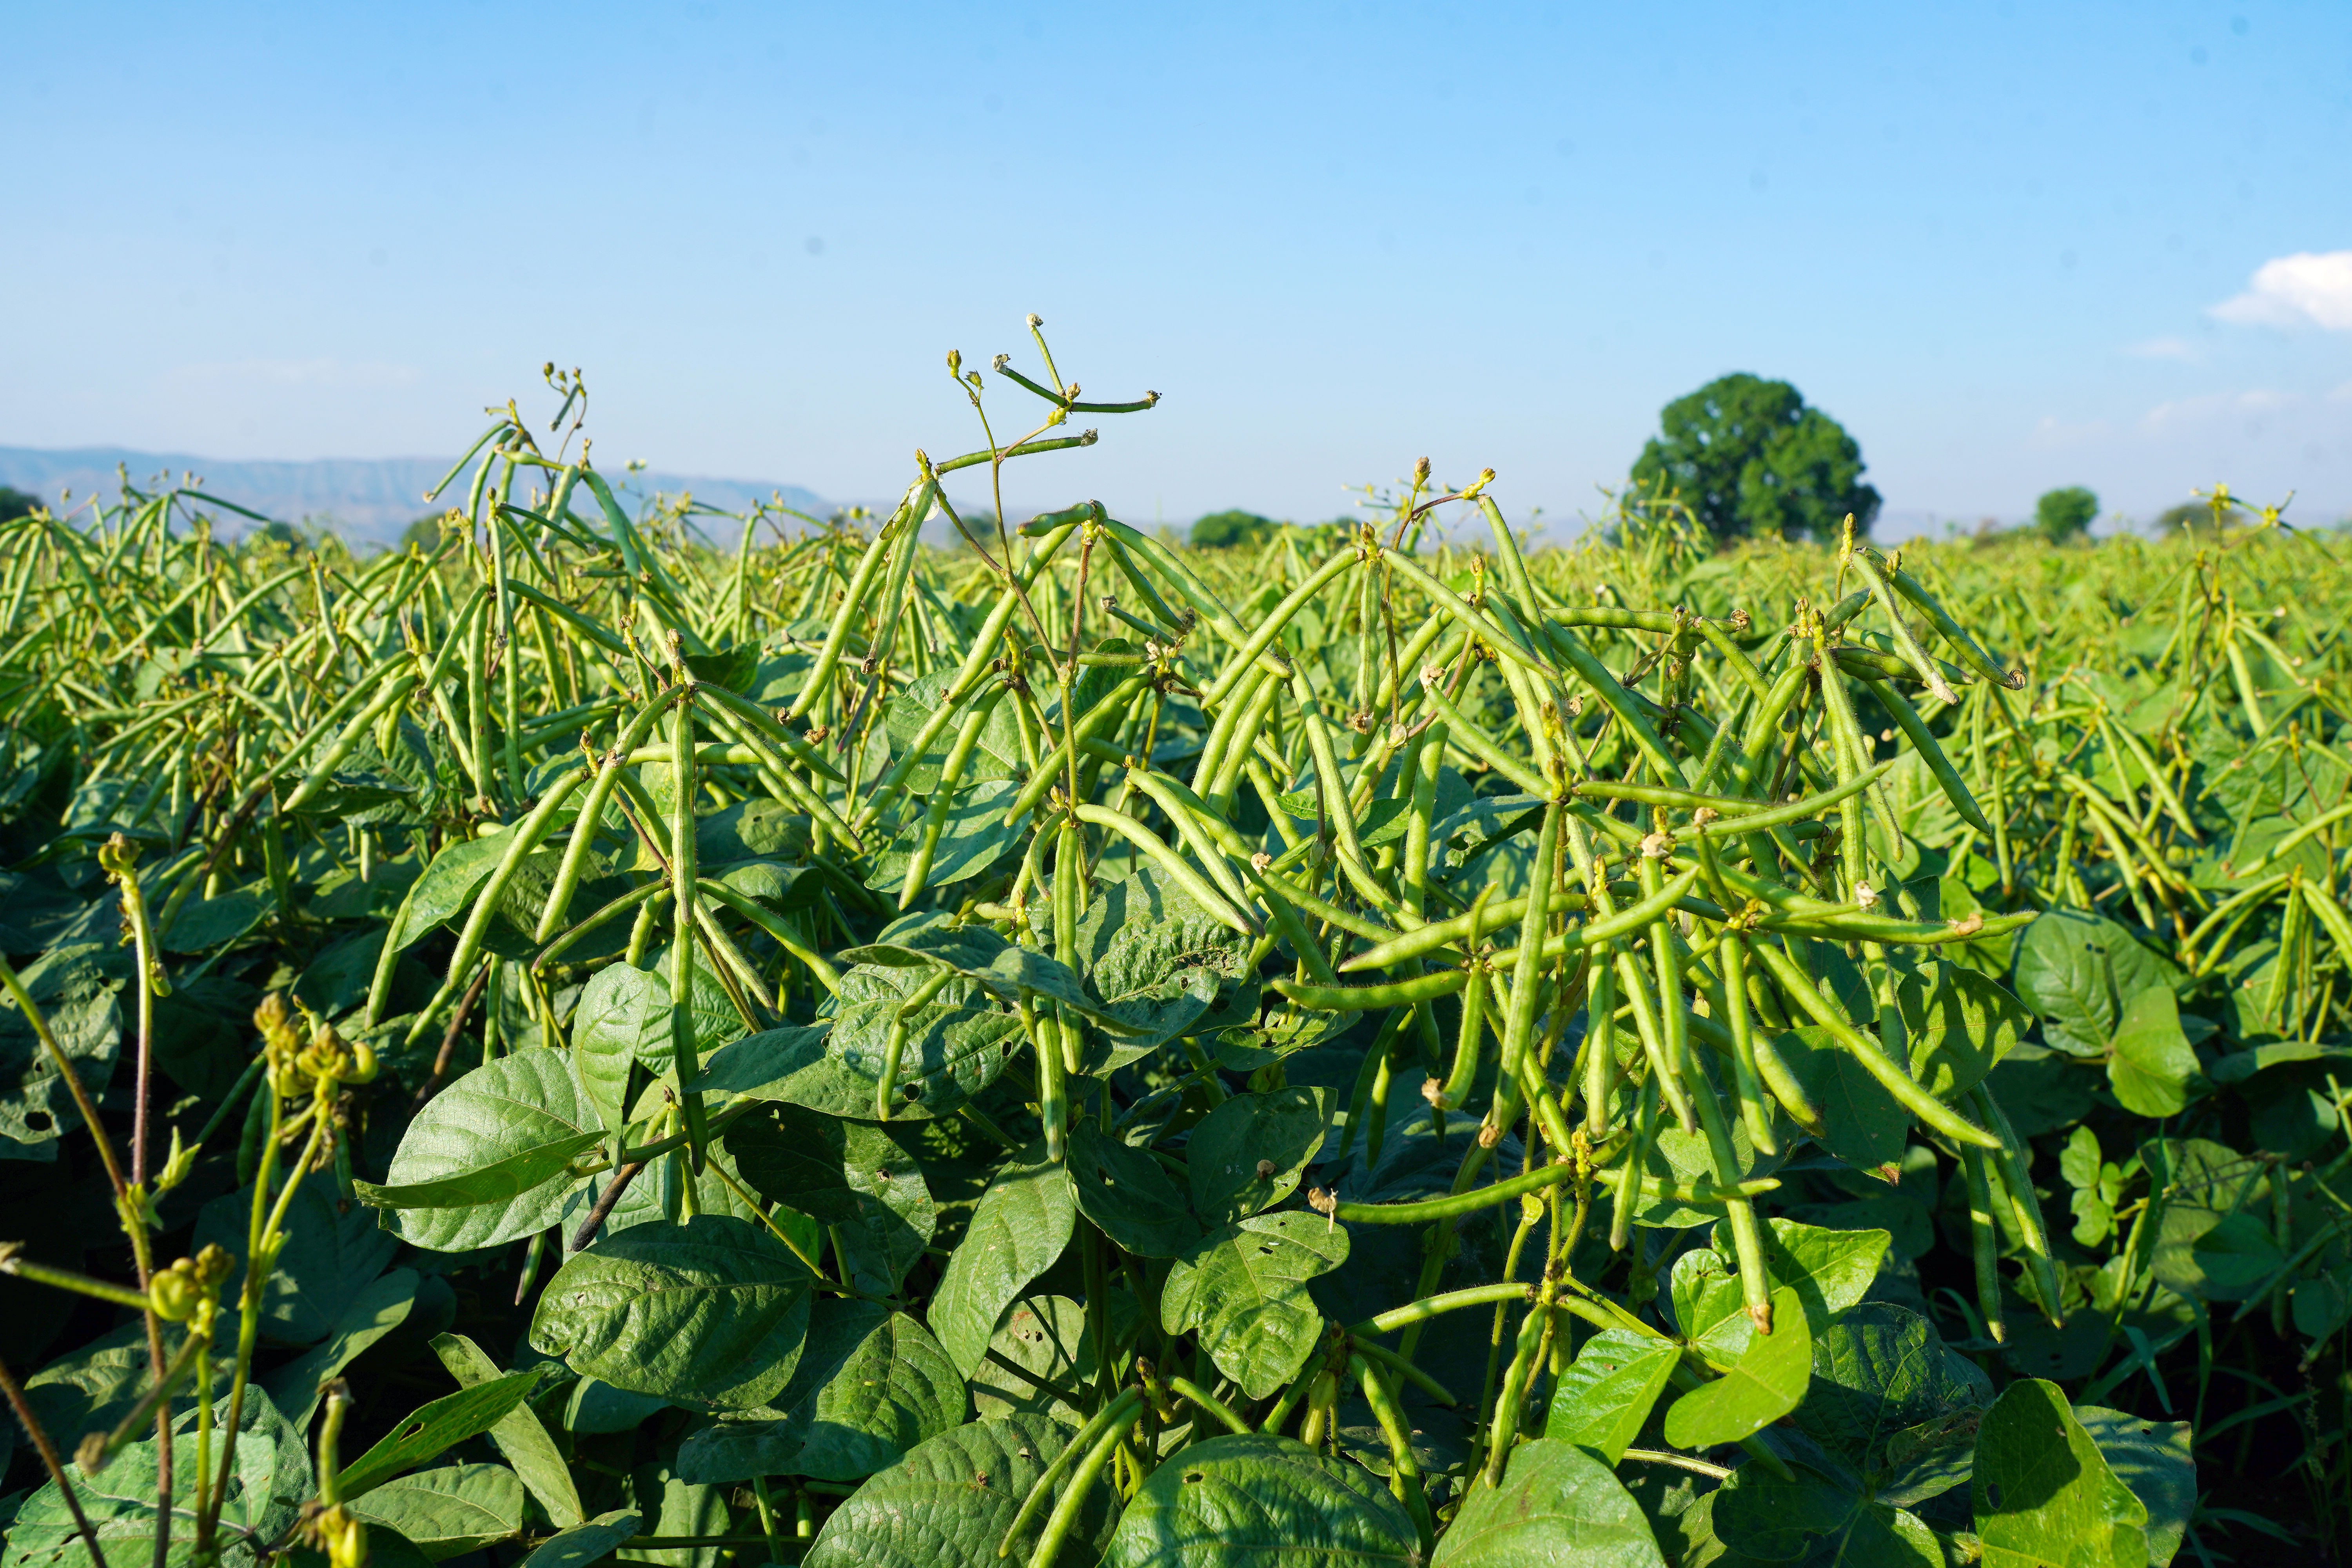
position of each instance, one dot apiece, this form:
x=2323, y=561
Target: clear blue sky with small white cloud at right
x=2007, y=246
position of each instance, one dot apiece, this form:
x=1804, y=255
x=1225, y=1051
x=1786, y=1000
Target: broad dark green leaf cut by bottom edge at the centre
x=1262, y=1501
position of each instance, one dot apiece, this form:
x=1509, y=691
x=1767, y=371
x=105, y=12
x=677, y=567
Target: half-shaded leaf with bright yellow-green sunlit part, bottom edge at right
x=2043, y=1492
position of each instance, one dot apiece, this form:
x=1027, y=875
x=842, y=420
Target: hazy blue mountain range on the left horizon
x=363, y=500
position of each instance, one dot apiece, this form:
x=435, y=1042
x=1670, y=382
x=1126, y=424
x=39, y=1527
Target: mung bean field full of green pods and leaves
x=944, y=1040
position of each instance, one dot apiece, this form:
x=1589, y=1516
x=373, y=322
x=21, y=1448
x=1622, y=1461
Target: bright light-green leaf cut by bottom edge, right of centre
x=1556, y=1506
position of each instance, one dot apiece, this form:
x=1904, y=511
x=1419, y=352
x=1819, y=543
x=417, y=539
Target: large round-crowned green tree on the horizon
x=1751, y=457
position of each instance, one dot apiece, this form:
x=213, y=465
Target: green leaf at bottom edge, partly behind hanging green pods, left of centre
x=949, y=1503
